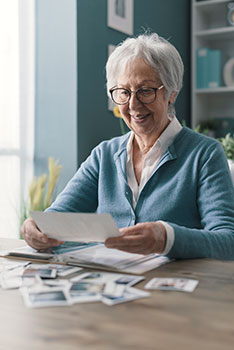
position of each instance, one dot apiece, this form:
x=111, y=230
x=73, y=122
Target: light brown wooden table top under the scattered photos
x=201, y=320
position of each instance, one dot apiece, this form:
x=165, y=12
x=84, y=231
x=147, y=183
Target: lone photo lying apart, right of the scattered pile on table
x=172, y=284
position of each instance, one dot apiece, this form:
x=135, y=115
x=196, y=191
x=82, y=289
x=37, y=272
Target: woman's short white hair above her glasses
x=156, y=51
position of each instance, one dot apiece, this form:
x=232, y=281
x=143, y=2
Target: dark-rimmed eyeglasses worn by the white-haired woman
x=145, y=95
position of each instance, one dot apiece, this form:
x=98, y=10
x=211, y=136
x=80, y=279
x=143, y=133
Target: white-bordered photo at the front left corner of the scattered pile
x=47, y=297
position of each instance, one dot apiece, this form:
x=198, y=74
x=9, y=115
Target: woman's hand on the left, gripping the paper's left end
x=35, y=238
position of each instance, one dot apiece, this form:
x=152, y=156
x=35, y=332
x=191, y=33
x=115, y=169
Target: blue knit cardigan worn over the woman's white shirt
x=191, y=189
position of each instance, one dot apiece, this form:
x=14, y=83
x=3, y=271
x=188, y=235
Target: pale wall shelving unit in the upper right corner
x=210, y=30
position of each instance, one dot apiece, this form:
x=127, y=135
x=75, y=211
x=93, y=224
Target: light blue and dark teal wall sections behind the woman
x=72, y=39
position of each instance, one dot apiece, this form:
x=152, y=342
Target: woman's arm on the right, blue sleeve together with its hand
x=215, y=202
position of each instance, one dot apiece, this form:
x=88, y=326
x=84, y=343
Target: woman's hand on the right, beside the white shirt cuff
x=143, y=238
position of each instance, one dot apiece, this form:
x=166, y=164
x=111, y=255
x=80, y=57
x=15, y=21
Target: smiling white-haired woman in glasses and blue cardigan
x=168, y=188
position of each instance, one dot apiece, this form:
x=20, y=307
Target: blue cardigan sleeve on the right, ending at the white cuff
x=215, y=201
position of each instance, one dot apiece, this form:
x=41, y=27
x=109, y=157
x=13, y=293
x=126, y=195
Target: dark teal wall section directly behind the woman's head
x=169, y=18
